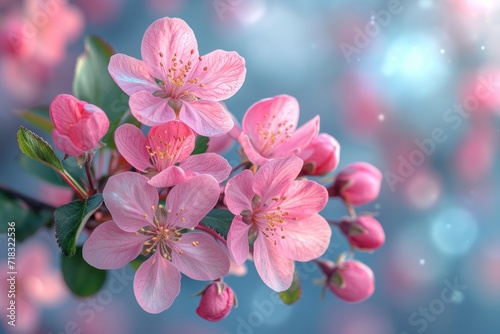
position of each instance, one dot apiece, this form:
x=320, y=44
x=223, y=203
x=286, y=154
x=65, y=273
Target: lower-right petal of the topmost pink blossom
x=206, y=117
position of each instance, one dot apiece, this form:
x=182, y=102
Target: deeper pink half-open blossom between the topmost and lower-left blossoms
x=165, y=154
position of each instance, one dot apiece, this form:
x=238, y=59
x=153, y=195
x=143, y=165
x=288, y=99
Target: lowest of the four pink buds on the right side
x=351, y=281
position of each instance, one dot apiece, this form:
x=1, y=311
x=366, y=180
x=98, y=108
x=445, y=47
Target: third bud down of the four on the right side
x=363, y=232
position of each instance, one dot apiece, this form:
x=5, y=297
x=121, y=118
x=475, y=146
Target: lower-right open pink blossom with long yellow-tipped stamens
x=281, y=215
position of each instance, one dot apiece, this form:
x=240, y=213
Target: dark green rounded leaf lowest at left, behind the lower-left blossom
x=81, y=278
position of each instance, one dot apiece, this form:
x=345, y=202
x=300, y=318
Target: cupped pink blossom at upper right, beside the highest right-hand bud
x=269, y=130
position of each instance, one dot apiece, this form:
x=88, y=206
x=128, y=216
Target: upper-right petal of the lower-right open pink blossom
x=304, y=198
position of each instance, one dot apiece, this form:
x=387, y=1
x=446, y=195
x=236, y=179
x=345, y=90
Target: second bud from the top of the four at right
x=357, y=183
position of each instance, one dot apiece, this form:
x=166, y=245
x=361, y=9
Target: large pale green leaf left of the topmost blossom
x=94, y=84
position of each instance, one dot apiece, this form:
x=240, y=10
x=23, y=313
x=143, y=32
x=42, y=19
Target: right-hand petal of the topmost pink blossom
x=222, y=73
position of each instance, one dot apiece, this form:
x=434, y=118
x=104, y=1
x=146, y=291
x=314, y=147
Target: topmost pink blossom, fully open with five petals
x=174, y=82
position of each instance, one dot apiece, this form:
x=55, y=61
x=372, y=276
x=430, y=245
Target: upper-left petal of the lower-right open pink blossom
x=239, y=192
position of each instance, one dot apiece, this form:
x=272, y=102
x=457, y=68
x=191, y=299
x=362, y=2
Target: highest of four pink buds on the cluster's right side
x=321, y=156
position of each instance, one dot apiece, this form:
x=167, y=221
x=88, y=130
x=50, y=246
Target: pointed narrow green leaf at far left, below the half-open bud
x=38, y=149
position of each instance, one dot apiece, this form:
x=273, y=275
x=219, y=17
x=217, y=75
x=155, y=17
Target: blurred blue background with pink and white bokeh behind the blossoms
x=411, y=86
